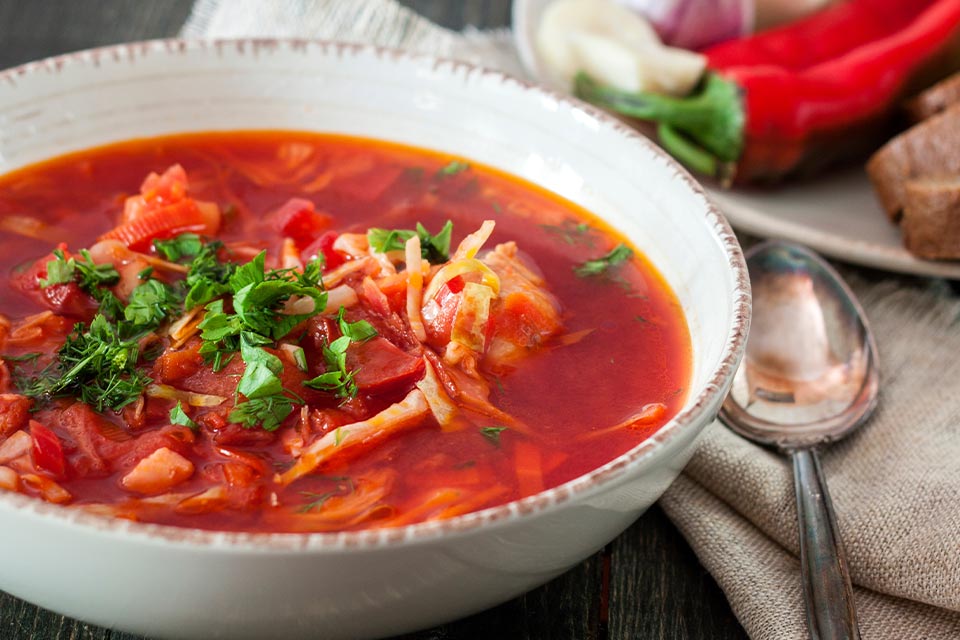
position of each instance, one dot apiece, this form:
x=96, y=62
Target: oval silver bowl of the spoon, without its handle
x=809, y=375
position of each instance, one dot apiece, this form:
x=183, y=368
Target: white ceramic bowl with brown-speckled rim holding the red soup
x=170, y=582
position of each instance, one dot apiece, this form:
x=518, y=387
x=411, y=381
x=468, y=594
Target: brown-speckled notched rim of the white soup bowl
x=606, y=475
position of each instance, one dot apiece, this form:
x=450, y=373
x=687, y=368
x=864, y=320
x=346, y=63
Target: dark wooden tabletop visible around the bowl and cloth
x=645, y=584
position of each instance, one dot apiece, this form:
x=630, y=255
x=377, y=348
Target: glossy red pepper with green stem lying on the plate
x=800, y=96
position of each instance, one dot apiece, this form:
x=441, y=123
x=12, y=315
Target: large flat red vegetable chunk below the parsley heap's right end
x=381, y=366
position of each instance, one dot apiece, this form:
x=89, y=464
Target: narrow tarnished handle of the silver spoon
x=831, y=614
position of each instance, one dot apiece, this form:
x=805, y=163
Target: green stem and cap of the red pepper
x=713, y=117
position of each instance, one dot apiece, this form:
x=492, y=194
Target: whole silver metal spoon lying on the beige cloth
x=809, y=377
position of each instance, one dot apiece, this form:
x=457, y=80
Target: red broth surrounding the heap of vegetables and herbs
x=622, y=349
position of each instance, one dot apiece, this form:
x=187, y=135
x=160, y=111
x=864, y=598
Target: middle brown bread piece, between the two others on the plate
x=931, y=148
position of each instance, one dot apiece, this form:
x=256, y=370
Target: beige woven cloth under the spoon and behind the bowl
x=895, y=482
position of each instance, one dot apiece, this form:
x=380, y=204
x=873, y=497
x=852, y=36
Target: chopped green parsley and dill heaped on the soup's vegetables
x=247, y=310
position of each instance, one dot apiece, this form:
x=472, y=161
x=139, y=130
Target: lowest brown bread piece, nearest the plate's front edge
x=931, y=217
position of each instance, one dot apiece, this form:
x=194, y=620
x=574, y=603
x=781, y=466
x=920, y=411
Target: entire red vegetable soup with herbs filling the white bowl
x=275, y=331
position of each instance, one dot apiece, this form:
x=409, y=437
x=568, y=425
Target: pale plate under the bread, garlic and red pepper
x=836, y=214
